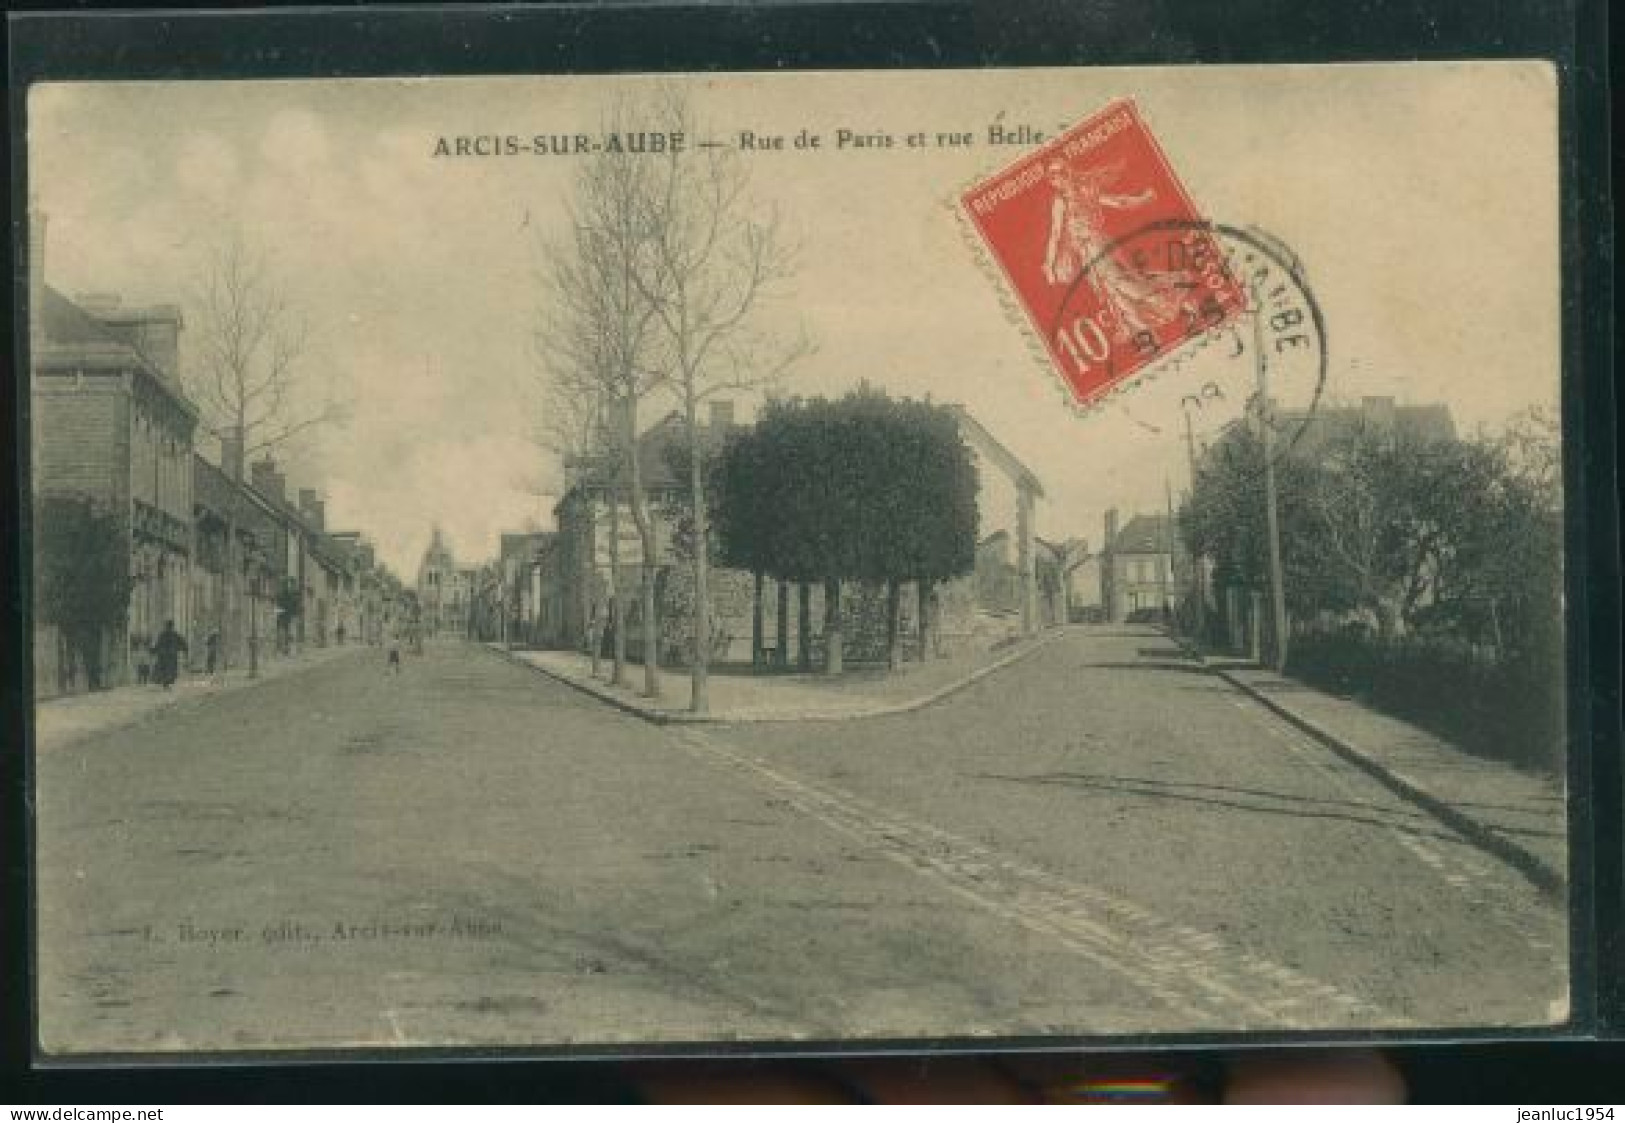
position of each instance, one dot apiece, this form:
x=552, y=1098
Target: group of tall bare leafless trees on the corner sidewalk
x=657, y=288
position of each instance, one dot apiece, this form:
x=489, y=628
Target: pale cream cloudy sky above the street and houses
x=1419, y=197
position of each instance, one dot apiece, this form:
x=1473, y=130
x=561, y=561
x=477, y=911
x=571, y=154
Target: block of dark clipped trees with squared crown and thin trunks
x=860, y=488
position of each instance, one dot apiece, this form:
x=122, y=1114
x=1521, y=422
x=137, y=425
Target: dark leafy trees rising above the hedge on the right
x=1397, y=527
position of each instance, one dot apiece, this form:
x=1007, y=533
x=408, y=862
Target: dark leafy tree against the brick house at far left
x=82, y=578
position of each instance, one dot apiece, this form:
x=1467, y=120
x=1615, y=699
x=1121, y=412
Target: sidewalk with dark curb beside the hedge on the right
x=1519, y=817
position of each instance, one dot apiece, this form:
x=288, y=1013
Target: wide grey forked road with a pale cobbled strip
x=1101, y=839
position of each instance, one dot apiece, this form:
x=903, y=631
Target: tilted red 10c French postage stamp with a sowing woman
x=1104, y=249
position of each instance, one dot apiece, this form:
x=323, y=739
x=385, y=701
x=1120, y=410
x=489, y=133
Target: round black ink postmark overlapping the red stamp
x=1200, y=326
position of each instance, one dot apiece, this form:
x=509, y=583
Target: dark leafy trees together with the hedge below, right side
x=1424, y=573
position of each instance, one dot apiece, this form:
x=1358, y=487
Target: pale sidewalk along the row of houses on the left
x=63, y=721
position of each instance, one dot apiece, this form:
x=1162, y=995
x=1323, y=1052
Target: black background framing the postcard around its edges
x=410, y=40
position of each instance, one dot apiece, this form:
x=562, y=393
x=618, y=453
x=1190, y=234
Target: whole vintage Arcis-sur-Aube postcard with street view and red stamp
x=784, y=558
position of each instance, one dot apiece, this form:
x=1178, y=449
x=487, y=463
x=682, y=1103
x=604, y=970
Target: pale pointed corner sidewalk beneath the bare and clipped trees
x=742, y=696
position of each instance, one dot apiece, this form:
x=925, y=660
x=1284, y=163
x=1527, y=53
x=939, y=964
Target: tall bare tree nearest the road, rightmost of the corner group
x=714, y=261
